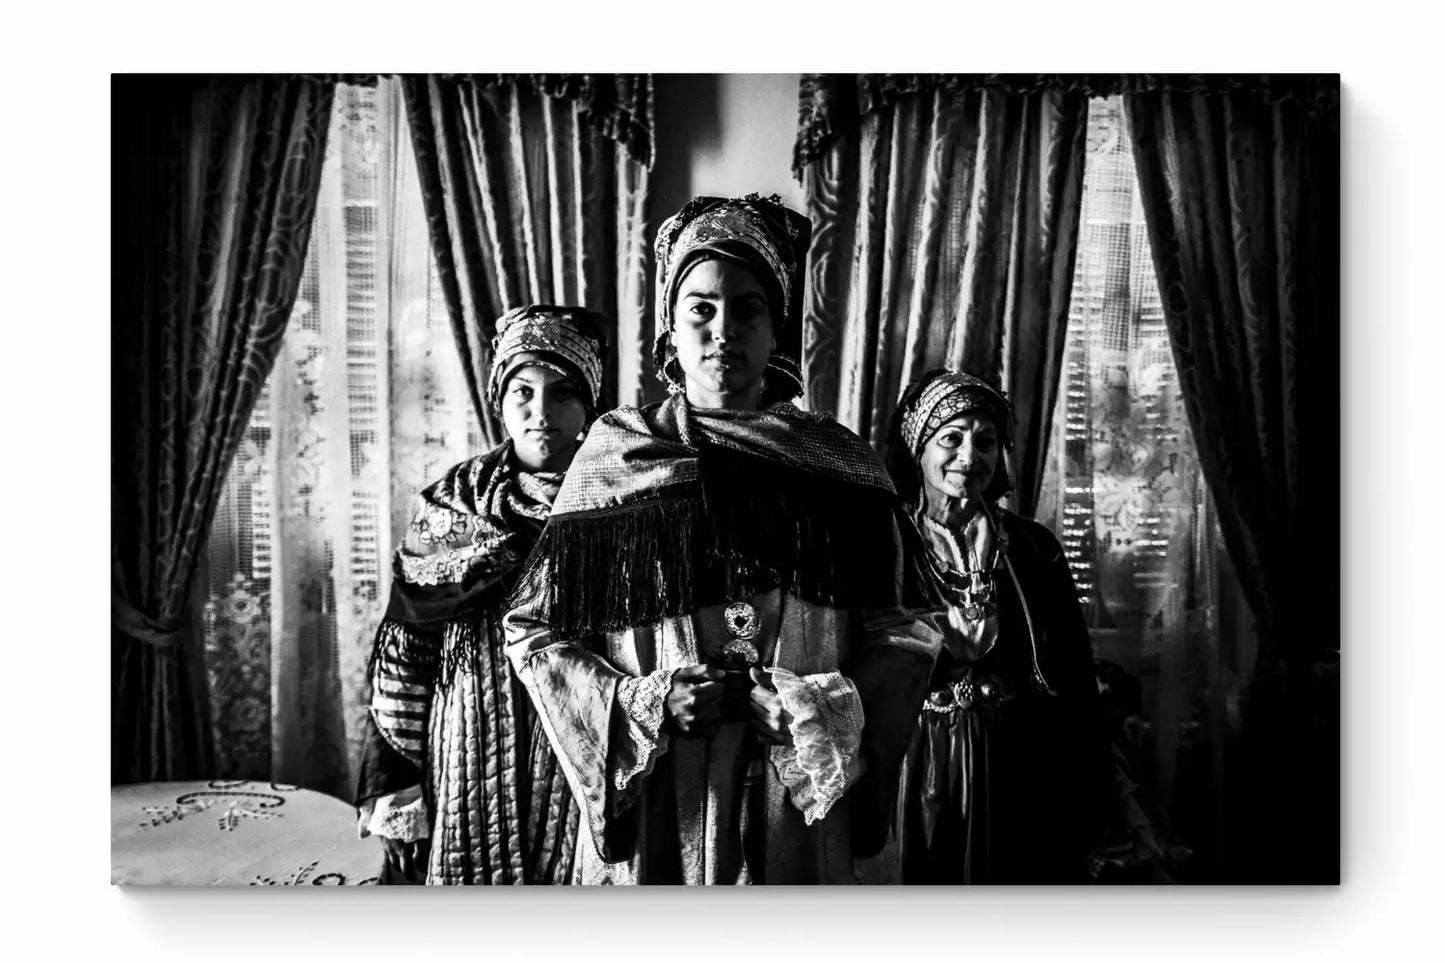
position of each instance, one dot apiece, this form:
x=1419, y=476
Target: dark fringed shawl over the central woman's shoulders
x=674, y=508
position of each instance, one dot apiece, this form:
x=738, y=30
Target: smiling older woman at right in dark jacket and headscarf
x=1008, y=776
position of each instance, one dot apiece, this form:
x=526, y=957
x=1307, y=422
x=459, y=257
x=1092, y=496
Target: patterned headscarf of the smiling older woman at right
x=930, y=404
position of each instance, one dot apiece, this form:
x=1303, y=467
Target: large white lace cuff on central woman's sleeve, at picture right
x=827, y=731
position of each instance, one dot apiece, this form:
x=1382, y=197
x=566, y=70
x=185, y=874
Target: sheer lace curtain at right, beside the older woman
x=1125, y=495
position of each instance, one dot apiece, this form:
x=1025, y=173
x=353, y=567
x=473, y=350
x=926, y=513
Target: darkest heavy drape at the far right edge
x=1242, y=196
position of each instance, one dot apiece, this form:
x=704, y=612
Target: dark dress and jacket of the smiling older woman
x=1006, y=776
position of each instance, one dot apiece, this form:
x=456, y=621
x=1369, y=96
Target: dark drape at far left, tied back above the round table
x=216, y=183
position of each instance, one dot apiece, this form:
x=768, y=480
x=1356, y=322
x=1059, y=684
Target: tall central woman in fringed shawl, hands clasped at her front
x=725, y=625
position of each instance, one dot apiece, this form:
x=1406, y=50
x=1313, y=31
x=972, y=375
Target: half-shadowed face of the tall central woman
x=723, y=332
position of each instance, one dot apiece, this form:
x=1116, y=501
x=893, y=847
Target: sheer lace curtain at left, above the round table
x=366, y=404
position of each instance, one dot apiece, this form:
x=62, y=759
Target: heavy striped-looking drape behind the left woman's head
x=535, y=192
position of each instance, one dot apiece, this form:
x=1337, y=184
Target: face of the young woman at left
x=544, y=413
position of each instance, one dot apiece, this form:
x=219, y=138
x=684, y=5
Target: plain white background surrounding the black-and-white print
x=56, y=345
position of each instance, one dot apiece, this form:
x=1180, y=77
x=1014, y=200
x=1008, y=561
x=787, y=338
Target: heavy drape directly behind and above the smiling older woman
x=946, y=223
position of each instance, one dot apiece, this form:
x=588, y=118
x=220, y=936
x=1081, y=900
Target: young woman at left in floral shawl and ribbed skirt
x=457, y=777
